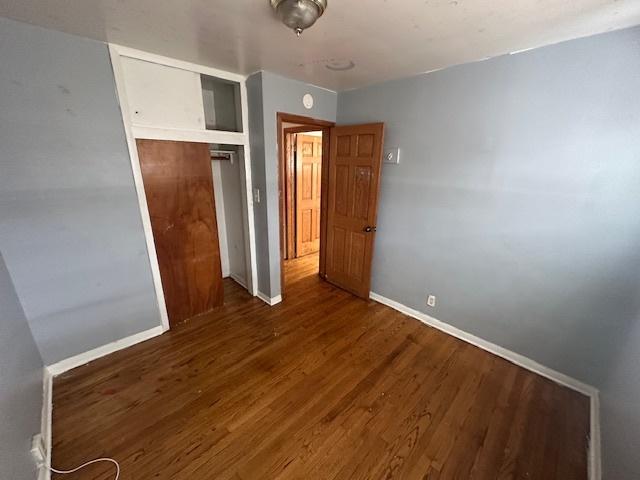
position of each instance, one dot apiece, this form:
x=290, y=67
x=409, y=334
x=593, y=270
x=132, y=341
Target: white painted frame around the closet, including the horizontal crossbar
x=132, y=132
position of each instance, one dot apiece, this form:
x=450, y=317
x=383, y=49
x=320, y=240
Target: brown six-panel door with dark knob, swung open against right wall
x=354, y=179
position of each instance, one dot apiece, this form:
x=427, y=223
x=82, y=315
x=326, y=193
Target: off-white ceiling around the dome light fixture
x=384, y=38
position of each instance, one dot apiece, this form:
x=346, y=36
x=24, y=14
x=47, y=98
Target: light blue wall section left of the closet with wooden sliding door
x=70, y=228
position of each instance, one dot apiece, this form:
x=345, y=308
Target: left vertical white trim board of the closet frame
x=139, y=184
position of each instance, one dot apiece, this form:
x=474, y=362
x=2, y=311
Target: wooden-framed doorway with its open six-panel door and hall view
x=348, y=160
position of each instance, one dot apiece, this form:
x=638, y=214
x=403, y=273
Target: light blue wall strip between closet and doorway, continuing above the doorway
x=269, y=94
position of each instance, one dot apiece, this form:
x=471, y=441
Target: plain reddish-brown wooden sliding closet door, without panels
x=179, y=190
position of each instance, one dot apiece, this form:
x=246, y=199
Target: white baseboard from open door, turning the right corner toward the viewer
x=594, y=459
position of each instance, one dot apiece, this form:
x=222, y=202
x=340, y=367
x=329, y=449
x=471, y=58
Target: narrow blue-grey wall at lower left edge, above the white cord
x=20, y=385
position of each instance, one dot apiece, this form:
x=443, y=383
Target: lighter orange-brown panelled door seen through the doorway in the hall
x=308, y=186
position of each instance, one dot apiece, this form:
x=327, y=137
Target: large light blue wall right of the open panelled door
x=516, y=202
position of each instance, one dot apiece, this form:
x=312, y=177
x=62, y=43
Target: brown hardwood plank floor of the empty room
x=322, y=386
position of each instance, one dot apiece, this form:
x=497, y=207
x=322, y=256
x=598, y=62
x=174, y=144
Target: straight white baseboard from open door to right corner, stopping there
x=502, y=352
